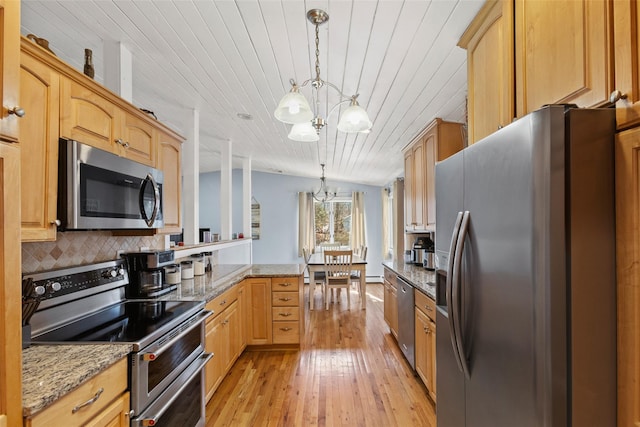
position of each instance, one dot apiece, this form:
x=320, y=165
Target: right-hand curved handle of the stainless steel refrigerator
x=456, y=294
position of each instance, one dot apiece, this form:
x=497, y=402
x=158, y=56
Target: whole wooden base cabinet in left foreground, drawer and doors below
x=96, y=402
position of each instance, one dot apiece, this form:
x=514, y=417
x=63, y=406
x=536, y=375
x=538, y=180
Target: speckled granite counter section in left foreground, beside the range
x=51, y=371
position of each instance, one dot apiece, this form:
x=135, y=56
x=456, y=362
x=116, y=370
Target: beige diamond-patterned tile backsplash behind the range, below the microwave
x=82, y=247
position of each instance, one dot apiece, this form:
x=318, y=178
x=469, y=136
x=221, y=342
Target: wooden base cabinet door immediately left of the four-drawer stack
x=258, y=318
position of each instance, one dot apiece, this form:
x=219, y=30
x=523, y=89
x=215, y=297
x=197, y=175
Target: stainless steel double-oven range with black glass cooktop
x=87, y=305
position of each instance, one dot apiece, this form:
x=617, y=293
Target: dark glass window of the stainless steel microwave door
x=108, y=194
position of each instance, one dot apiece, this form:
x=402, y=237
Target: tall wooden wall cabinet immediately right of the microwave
x=169, y=162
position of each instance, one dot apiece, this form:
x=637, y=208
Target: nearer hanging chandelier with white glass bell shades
x=294, y=109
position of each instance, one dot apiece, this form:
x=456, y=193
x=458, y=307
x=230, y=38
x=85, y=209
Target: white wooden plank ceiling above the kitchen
x=224, y=57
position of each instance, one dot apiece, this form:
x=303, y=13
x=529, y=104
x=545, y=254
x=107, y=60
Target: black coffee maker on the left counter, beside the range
x=146, y=273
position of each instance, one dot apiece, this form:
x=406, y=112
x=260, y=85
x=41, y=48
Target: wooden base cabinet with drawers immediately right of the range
x=222, y=338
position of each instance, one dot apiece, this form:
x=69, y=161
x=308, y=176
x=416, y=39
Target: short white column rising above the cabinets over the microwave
x=118, y=66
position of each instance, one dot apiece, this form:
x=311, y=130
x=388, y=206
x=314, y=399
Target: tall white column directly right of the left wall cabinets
x=191, y=182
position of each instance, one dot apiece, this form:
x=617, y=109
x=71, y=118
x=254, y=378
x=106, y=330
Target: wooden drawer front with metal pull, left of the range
x=112, y=382
